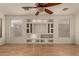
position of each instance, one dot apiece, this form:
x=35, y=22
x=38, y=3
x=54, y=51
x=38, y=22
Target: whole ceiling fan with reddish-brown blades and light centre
x=42, y=7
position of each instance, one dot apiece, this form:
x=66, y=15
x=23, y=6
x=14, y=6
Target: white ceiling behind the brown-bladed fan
x=16, y=9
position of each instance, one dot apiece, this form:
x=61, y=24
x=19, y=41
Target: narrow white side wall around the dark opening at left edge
x=2, y=40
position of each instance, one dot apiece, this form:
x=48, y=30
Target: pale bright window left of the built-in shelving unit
x=16, y=28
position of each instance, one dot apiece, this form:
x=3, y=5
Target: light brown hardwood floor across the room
x=39, y=50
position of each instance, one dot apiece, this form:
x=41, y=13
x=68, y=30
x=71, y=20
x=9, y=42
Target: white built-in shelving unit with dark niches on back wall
x=39, y=31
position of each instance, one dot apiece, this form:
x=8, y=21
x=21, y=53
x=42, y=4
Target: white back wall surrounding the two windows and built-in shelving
x=56, y=38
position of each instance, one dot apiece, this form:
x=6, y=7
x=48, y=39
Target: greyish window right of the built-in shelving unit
x=64, y=30
